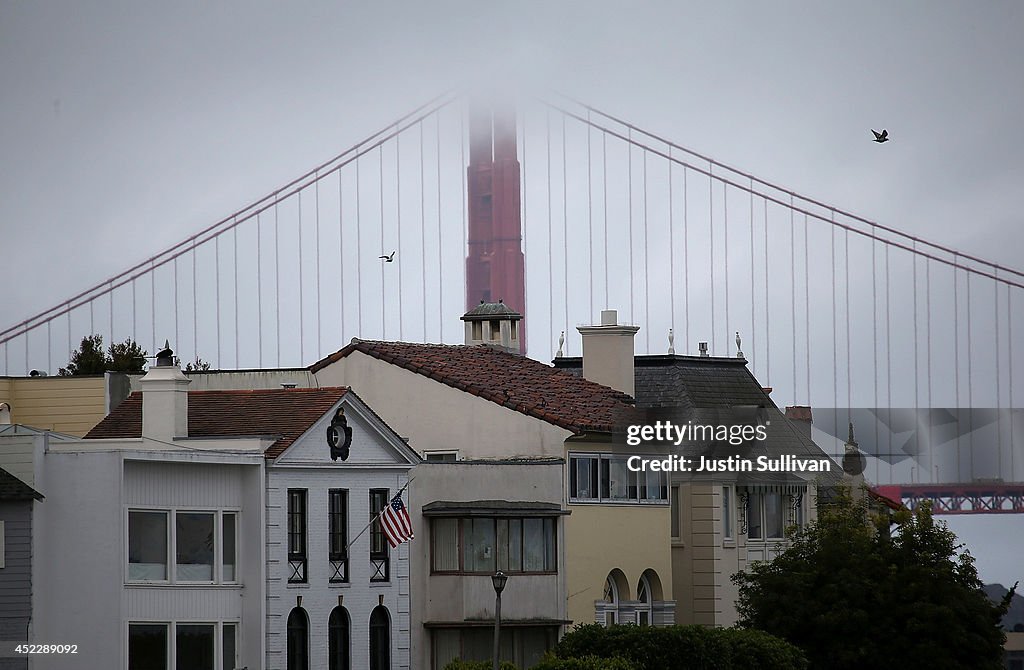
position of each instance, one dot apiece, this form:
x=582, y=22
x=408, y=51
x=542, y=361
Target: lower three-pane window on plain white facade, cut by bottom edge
x=183, y=646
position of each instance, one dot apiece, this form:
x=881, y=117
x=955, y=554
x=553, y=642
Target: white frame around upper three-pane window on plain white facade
x=172, y=558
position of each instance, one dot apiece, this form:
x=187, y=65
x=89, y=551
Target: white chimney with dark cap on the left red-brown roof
x=165, y=399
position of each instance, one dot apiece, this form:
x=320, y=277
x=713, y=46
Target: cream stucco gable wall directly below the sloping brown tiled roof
x=438, y=417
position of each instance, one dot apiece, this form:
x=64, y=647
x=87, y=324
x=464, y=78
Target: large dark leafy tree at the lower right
x=852, y=597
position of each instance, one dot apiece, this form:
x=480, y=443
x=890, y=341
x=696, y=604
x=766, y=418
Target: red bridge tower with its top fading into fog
x=495, y=265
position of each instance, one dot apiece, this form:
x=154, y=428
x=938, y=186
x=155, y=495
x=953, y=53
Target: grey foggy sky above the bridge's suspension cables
x=125, y=128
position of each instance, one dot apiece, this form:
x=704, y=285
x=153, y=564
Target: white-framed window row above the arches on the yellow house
x=607, y=478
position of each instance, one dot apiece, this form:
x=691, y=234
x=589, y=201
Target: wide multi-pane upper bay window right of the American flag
x=484, y=546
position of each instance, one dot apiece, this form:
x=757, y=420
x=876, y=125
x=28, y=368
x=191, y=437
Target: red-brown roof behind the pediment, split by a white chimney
x=286, y=413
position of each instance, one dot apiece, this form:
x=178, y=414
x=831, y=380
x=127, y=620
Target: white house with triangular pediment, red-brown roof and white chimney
x=212, y=531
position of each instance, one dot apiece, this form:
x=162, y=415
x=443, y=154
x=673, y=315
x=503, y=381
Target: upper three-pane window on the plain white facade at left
x=204, y=547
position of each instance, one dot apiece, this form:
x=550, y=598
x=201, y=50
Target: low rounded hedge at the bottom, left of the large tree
x=682, y=648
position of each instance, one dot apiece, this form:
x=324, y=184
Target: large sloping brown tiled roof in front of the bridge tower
x=510, y=381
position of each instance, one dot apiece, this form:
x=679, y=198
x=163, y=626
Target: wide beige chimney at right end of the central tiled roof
x=608, y=353
